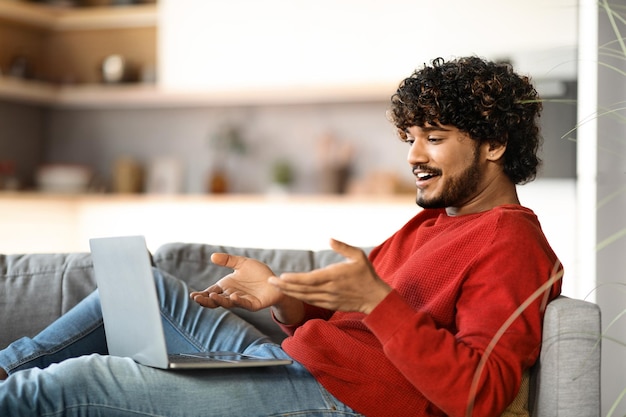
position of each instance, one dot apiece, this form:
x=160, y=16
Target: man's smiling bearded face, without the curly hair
x=446, y=164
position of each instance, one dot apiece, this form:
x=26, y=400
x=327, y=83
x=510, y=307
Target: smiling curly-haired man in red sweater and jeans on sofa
x=428, y=325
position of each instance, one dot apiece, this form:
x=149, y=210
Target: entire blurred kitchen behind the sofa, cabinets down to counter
x=251, y=123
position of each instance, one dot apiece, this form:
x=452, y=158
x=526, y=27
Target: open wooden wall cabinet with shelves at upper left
x=49, y=55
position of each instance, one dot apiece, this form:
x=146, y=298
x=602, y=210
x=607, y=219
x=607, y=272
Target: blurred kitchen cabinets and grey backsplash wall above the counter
x=243, y=96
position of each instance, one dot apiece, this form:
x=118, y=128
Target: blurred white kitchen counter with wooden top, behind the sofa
x=34, y=222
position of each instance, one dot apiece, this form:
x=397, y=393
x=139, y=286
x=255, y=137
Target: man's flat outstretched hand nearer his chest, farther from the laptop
x=352, y=285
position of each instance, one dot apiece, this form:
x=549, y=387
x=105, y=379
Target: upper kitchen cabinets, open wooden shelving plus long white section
x=241, y=52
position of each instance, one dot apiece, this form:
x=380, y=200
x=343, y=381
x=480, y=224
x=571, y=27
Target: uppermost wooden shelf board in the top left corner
x=61, y=19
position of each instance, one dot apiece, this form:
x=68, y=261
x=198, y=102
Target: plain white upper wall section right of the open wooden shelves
x=239, y=44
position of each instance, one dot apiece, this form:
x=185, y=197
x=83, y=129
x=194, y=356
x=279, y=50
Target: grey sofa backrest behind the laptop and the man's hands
x=35, y=289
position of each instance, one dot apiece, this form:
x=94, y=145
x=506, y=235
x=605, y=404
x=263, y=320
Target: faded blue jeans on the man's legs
x=65, y=370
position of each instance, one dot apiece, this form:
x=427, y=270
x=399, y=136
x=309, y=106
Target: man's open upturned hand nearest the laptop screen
x=245, y=287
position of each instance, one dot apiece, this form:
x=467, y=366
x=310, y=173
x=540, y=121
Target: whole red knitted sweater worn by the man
x=456, y=280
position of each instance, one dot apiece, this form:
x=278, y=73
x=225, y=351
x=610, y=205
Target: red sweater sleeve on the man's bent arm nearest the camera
x=480, y=364
